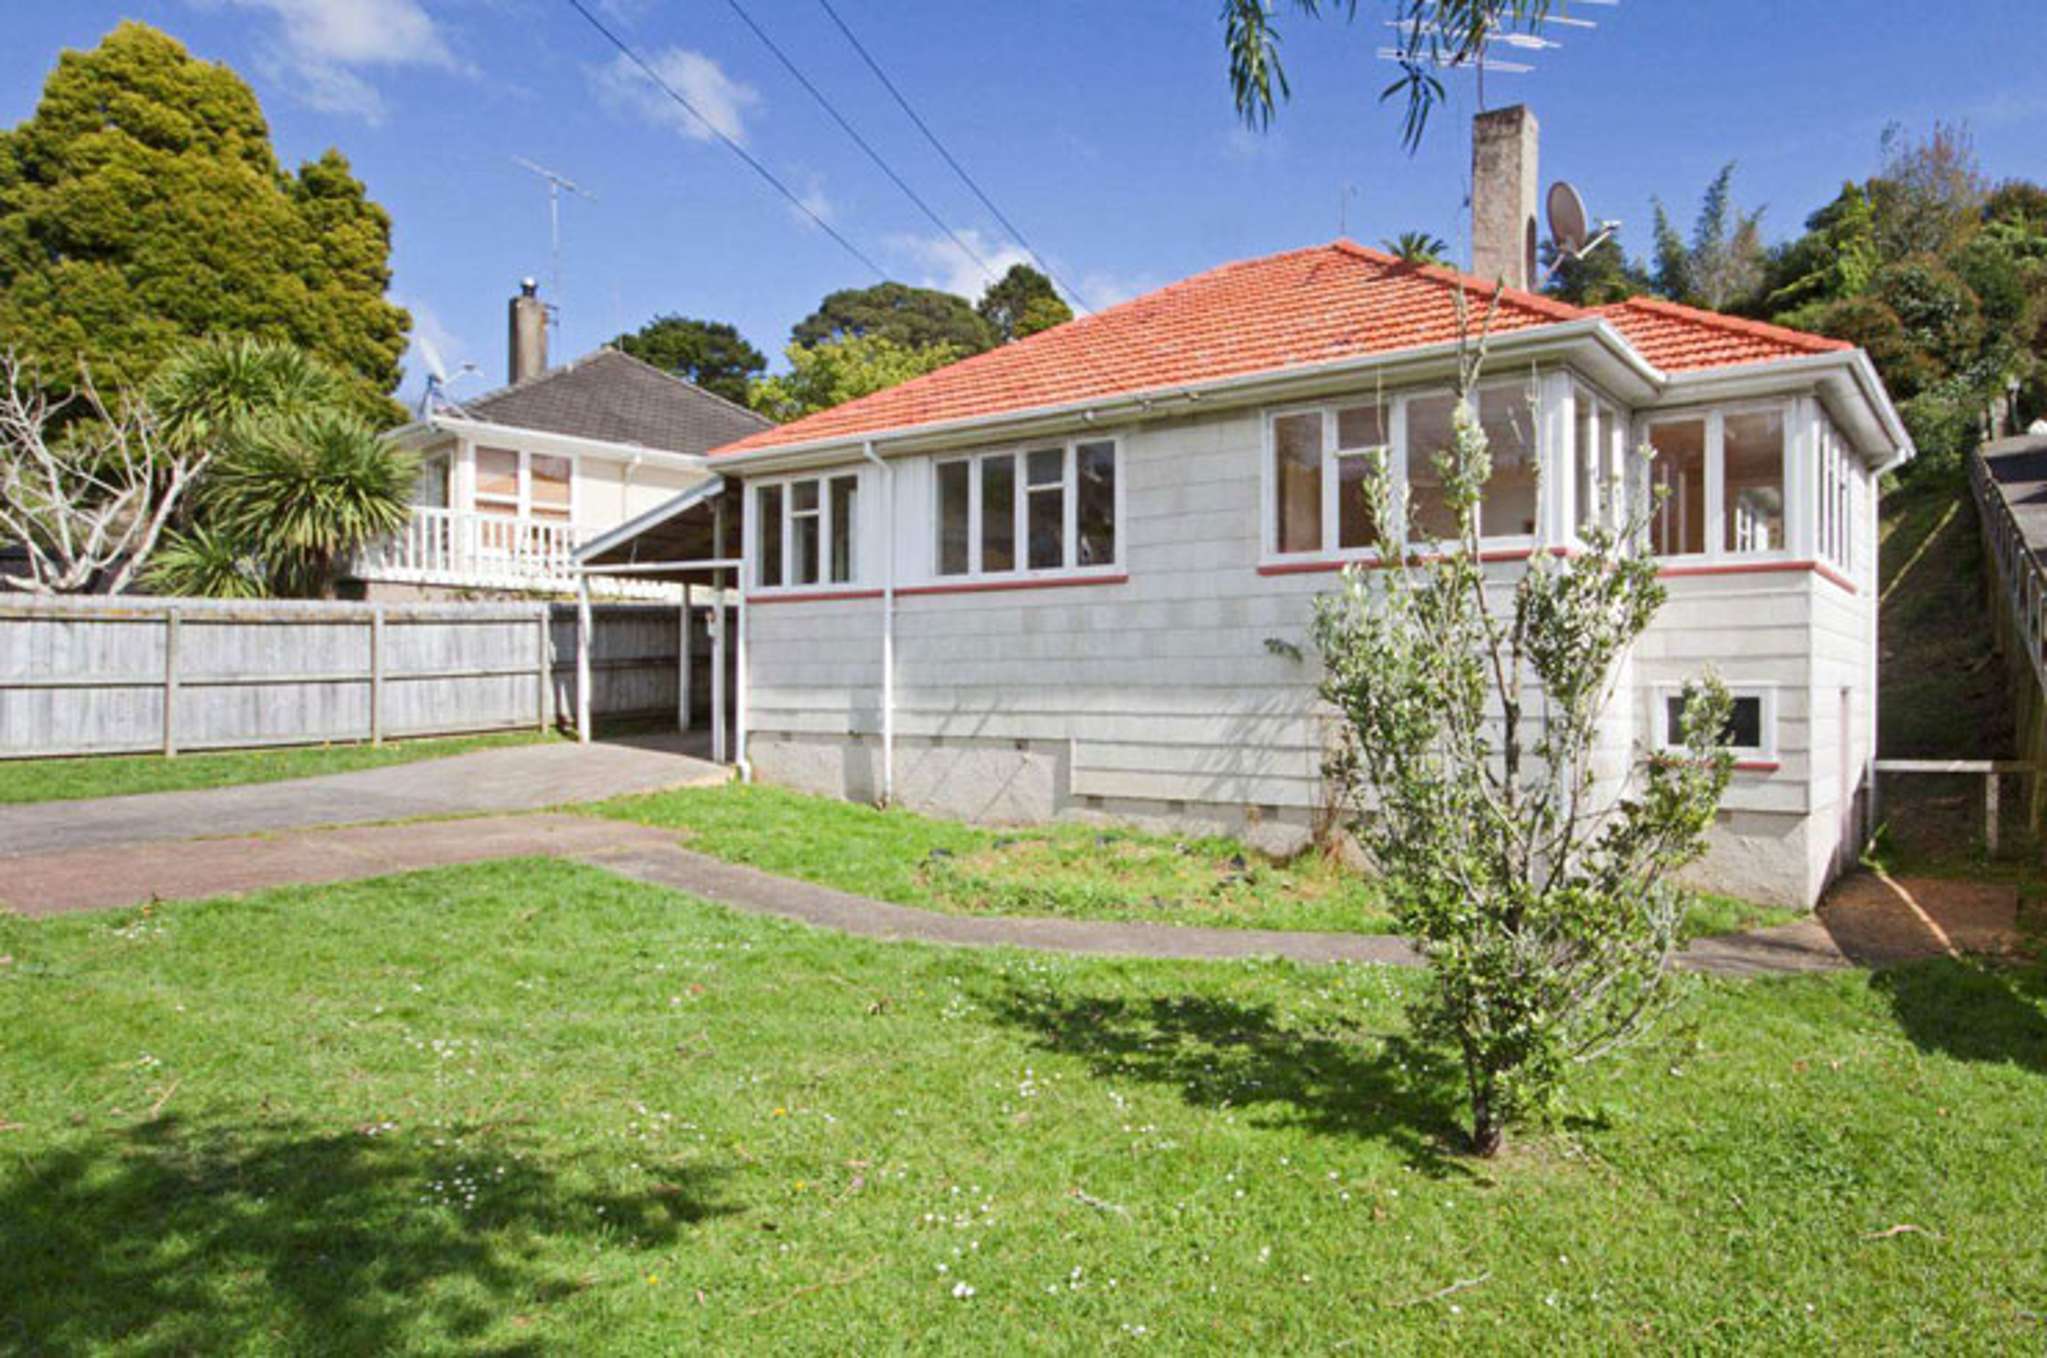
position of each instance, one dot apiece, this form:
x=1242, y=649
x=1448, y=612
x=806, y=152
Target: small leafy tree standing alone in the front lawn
x=1538, y=884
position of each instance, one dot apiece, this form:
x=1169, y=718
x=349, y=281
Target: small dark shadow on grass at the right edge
x=1972, y=1011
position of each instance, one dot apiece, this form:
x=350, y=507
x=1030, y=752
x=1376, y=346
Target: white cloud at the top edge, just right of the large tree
x=322, y=48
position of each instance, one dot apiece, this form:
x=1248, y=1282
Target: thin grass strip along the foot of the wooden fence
x=124, y=775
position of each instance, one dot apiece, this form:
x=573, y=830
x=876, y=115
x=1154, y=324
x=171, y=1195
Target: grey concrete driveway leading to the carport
x=482, y=783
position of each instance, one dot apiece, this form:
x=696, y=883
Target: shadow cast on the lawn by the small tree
x=1221, y=1054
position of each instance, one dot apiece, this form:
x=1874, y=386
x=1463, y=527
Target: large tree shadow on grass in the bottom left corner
x=208, y=1238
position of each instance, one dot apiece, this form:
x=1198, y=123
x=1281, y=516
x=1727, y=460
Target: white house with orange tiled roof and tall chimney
x=1041, y=583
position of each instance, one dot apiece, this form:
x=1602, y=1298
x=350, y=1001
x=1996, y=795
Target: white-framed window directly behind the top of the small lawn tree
x=1395, y=407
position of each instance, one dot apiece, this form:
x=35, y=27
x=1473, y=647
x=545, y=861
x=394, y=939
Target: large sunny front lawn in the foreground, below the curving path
x=531, y=1107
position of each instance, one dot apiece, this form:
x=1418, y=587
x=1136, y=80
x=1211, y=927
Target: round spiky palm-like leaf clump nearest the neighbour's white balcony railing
x=304, y=491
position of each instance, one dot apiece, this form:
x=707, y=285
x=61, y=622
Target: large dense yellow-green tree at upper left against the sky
x=142, y=206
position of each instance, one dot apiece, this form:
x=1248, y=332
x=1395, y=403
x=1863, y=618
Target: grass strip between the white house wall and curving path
x=1074, y=872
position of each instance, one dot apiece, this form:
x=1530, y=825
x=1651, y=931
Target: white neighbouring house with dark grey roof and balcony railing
x=517, y=480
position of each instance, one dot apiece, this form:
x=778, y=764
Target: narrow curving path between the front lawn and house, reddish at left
x=1868, y=923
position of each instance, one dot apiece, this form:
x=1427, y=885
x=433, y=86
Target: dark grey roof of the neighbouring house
x=615, y=398
